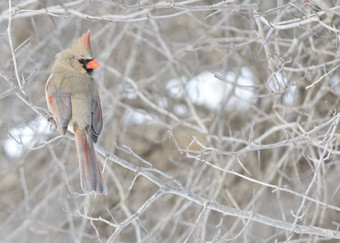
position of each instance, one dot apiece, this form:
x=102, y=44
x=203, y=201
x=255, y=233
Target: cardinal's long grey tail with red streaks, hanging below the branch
x=91, y=179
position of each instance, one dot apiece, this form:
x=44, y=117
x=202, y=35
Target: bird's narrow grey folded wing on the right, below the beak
x=97, y=118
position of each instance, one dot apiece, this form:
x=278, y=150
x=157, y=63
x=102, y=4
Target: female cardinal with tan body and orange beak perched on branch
x=73, y=99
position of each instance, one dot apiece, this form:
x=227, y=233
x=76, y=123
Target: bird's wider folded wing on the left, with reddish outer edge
x=59, y=104
